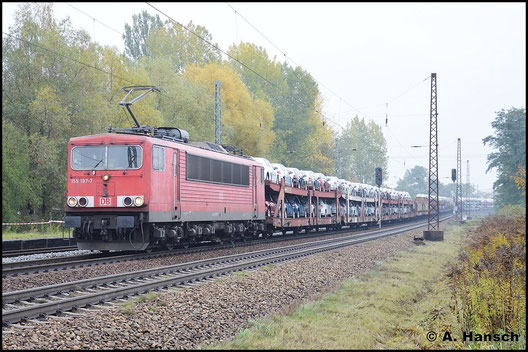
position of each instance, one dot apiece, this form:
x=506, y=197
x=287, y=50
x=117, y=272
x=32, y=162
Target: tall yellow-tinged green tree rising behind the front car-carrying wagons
x=301, y=138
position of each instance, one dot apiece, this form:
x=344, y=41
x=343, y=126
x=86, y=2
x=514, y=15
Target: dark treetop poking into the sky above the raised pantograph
x=135, y=36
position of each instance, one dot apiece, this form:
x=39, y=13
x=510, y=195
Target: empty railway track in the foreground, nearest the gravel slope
x=41, y=301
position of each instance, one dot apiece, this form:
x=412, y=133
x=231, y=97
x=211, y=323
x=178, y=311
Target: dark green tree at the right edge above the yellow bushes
x=510, y=141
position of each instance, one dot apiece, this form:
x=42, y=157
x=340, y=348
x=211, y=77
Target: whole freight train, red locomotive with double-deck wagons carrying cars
x=144, y=187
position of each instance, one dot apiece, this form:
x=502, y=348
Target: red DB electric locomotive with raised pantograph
x=137, y=188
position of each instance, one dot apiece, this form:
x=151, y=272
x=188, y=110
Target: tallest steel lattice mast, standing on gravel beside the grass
x=433, y=232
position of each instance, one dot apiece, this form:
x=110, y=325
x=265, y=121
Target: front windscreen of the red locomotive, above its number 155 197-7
x=114, y=157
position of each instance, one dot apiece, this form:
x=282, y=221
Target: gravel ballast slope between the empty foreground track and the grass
x=212, y=311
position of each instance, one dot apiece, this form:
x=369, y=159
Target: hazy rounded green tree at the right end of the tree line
x=360, y=148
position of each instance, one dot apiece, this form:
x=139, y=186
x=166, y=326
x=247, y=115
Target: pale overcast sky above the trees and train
x=365, y=55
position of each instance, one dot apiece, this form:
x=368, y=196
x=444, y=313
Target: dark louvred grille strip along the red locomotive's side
x=210, y=170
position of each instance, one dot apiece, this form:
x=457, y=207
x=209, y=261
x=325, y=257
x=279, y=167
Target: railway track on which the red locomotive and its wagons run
x=87, y=260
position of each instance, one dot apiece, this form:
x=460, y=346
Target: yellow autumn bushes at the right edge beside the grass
x=489, y=281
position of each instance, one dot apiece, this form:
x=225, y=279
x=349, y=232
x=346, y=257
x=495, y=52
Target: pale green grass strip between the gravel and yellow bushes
x=389, y=308
